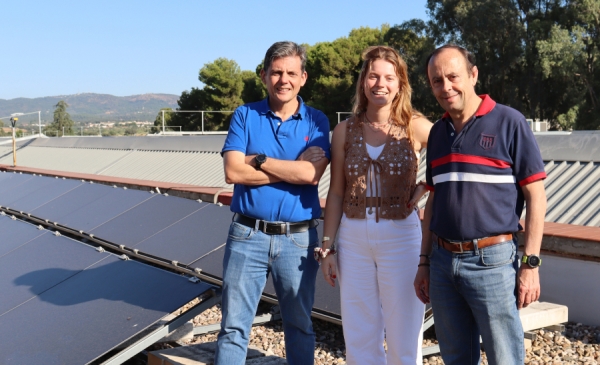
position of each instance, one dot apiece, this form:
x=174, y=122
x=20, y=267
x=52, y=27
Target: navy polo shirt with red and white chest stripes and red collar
x=477, y=174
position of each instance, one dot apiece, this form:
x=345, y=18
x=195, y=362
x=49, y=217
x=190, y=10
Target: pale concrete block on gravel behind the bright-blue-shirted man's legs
x=204, y=354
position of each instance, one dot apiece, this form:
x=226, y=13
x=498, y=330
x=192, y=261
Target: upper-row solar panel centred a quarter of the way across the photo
x=145, y=220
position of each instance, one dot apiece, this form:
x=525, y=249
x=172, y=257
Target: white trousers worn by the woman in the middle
x=377, y=265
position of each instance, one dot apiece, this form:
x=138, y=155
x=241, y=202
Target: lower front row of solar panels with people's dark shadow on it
x=72, y=304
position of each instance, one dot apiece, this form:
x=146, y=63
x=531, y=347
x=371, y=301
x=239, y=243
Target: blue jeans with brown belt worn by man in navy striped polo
x=474, y=294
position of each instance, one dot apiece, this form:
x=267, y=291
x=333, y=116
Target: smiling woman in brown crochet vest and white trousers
x=371, y=201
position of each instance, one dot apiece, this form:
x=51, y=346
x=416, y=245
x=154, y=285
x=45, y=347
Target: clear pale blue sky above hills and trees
x=131, y=47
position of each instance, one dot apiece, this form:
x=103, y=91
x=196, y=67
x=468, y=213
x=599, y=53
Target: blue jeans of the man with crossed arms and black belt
x=250, y=255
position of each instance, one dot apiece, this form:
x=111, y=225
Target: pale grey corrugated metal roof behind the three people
x=572, y=164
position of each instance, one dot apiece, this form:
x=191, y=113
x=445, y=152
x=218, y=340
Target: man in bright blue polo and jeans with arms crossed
x=275, y=153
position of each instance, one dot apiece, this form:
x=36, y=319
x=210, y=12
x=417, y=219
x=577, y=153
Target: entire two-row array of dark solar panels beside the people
x=183, y=234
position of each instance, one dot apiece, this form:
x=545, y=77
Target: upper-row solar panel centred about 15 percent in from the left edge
x=90, y=205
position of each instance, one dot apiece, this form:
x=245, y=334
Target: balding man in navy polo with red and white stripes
x=483, y=163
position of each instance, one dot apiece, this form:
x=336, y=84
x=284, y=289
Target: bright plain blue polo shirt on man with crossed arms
x=255, y=129
